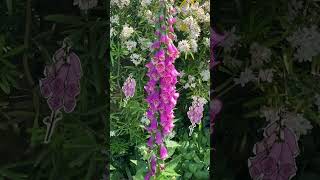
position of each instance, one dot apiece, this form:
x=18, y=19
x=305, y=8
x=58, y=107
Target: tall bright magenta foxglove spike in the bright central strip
x=162, y=96
